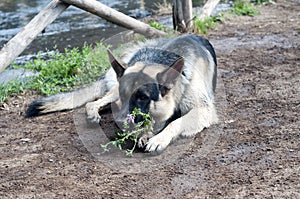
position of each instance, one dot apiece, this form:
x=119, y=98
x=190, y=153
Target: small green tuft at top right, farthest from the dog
x=244, y=8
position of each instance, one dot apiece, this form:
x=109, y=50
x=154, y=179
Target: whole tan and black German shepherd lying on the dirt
x=174, y=80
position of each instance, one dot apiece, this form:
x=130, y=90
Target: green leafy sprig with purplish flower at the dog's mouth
x=131, y=131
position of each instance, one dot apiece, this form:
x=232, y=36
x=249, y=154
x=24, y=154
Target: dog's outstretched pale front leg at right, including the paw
x=188, y=125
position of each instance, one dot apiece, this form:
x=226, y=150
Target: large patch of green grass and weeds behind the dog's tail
x=61, y=72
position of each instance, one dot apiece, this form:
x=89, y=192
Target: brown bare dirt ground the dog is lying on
x=253, y=153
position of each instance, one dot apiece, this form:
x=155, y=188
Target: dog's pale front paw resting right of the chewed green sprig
x=157, y=144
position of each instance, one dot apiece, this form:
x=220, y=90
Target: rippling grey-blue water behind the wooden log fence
x=72, y=28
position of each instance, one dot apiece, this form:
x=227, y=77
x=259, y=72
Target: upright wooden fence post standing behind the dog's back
x=182, y=15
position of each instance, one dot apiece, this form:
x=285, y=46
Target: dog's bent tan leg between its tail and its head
x=92, y=108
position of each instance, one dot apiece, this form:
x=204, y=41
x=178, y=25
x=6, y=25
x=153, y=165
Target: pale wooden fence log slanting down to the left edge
x=19, y=42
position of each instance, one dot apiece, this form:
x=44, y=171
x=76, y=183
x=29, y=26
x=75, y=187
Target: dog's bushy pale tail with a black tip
x=67, y=101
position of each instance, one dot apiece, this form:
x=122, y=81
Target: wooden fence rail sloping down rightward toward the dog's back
x=116, y=17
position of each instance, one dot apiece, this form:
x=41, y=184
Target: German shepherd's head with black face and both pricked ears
x=148, y=87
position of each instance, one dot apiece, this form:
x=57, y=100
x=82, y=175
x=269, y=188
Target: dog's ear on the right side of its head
x=168, y=77
